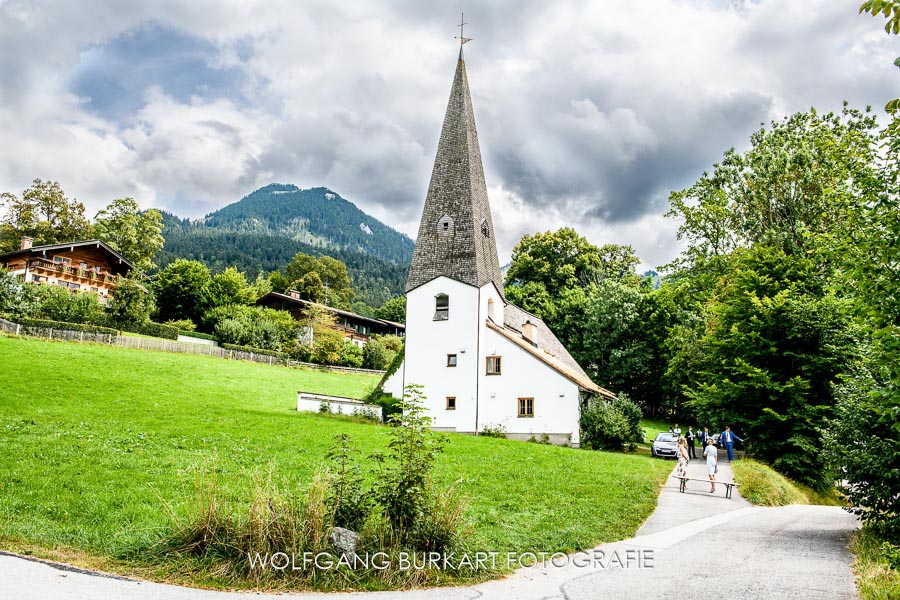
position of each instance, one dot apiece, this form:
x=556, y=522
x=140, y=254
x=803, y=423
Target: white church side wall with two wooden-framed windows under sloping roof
x=556, y=399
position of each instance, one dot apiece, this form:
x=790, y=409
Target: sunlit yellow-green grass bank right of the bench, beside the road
x=763, y=486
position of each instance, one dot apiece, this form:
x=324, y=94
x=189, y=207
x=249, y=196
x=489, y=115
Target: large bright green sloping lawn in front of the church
x=98, y=443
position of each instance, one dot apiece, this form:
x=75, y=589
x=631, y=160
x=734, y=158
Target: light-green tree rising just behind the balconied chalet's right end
x=137, y=235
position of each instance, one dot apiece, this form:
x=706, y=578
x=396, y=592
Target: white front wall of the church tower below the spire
x=428, y=342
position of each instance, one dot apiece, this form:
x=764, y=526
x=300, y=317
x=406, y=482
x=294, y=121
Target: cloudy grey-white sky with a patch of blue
x=589, y=113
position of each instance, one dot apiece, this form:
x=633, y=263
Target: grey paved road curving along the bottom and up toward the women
x=699, y=544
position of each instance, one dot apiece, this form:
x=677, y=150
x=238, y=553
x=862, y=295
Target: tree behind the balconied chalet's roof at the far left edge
x=44, y=214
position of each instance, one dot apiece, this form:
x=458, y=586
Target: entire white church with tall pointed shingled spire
x=483, y=362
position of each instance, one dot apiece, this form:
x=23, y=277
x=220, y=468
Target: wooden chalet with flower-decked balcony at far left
x=89, y=266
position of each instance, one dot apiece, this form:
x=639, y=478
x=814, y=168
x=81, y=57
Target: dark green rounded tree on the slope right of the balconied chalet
x=181, y=290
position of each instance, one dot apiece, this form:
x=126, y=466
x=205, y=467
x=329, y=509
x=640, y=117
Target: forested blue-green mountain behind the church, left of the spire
x=263, y=231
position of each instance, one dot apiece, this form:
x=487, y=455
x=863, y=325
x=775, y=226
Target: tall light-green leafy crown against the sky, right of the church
x=787, y=191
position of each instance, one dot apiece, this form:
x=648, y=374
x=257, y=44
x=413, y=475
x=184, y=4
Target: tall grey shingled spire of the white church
x=456, y=234
